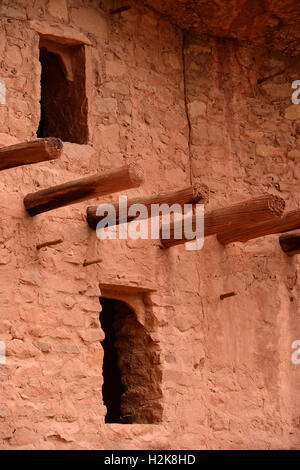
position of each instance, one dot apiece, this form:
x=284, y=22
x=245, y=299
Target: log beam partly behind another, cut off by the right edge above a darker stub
x=290, y=221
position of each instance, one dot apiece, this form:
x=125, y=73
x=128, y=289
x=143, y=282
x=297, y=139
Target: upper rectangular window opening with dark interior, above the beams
x=63, y=92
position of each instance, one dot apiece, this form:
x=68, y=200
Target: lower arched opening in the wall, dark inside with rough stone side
x=131, y=368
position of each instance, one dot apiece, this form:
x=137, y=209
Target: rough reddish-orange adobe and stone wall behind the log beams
x=227, y=376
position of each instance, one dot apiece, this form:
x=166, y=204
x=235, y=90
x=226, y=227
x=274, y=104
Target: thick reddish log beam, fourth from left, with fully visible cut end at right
x=233, y=217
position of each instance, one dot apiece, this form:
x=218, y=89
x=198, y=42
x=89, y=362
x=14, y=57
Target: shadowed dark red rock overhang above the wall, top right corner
x=271, y=23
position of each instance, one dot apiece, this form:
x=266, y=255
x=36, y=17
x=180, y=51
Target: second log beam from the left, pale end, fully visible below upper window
x=123, y=178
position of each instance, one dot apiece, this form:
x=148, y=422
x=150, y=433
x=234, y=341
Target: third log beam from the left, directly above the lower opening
x=189, y=195
